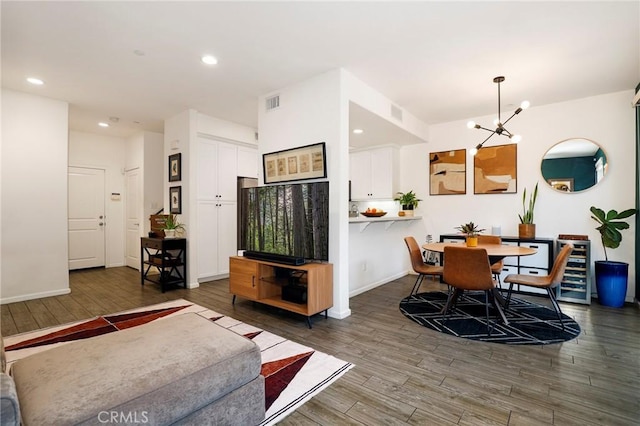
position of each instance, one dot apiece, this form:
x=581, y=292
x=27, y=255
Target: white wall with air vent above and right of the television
x=311, y=112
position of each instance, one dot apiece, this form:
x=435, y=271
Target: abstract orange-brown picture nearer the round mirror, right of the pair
x=495, y=170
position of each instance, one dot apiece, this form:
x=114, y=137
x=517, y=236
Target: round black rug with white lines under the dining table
x=529, y=323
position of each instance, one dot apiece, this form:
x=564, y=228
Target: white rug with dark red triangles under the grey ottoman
x=293, y=373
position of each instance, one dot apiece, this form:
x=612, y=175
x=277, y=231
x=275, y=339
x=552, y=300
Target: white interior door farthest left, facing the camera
x=86, y=218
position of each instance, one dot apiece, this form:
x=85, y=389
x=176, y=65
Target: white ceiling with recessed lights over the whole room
x=434, y=59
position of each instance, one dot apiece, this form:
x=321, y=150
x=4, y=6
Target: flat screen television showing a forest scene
x=290, y=221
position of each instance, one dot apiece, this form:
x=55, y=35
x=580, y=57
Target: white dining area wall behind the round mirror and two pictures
x=607, y=119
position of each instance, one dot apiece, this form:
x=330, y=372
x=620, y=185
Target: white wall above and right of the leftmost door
x=108, y=153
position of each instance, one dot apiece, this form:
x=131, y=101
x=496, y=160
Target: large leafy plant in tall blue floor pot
x=611, y=276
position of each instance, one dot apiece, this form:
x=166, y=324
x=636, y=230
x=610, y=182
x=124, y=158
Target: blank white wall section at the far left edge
x=34, y=249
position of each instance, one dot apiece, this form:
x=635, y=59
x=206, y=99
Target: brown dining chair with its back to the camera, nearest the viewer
x=468, y=268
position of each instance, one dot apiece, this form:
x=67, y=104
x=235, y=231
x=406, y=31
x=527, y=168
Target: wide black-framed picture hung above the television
x=306, y=162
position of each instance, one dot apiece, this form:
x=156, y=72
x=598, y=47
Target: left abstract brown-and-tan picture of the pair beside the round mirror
x=448, y=172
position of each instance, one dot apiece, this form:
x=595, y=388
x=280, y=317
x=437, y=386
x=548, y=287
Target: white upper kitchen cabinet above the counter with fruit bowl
x=373, y=174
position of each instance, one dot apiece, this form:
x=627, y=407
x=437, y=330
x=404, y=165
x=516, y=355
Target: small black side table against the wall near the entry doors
x=168, y=256
